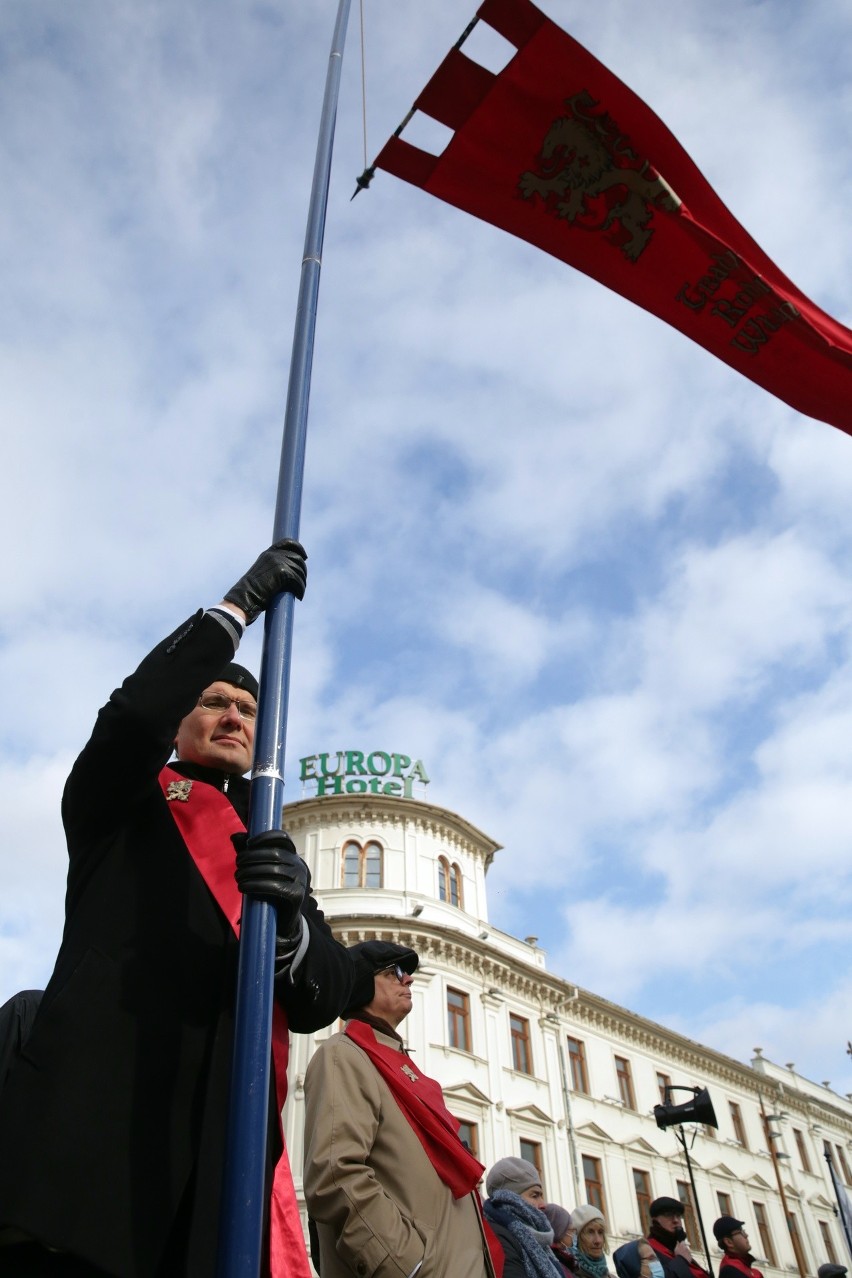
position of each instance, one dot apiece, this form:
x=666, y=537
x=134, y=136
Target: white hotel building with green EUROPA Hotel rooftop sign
x=535, y=1066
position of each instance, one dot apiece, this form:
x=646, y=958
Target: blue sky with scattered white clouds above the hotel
x=596, y=581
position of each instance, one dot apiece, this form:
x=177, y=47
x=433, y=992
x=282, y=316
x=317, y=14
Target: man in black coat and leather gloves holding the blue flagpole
x=113, y=1118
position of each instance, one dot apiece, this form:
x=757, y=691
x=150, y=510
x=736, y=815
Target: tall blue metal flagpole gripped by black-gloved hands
x=243, y=1203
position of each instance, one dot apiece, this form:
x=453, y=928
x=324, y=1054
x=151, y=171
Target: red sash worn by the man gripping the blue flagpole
x=206, y=821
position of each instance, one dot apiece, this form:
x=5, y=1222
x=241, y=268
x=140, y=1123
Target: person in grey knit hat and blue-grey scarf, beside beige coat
x=514, y=1212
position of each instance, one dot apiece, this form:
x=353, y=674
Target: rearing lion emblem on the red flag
x=588, y=174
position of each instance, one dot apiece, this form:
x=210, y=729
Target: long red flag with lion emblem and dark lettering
x=558, y=151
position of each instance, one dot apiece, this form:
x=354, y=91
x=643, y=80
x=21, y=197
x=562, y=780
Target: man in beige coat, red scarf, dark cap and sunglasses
x=389, y=1184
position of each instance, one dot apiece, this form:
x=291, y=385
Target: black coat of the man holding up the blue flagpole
x=113, y=1118
